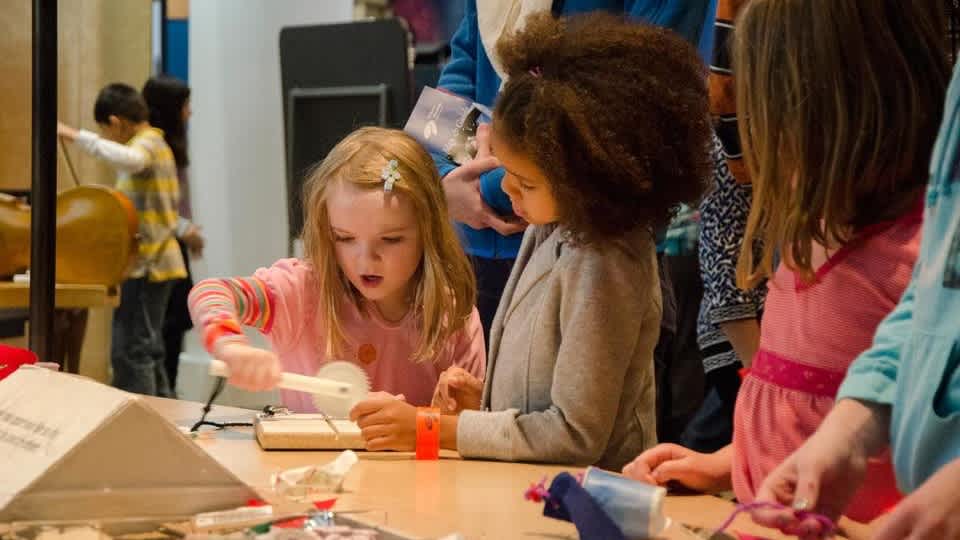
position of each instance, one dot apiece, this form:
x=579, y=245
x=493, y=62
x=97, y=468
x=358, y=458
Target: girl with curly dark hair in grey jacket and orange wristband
x=602, y=129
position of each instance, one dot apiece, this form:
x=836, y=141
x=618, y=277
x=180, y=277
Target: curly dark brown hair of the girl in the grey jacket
x=614, y=112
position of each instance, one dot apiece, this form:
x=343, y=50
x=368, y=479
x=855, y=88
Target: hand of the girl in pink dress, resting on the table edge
x=665, y=462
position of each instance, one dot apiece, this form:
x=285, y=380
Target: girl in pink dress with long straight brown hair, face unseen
x=838, y=171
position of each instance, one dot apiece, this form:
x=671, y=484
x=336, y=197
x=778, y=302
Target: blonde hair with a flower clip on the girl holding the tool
x=445, y=291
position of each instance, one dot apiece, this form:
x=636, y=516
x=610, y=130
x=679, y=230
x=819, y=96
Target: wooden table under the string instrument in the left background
x=72, y=303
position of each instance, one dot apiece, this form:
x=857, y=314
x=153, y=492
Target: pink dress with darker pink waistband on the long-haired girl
x=810, y=335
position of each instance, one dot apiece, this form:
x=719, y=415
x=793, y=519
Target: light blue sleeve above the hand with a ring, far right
x=873, y=375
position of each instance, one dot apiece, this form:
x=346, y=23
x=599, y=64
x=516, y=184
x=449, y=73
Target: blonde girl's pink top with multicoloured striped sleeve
x=283, y=303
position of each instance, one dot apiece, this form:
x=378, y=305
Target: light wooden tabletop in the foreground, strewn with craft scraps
x=478, y=499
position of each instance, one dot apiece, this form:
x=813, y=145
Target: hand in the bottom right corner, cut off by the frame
x=932, y=511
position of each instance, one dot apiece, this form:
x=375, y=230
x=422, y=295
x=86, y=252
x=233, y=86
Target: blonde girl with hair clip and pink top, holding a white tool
x=384, y=282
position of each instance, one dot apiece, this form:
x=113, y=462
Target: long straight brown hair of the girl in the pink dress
x=840, y=101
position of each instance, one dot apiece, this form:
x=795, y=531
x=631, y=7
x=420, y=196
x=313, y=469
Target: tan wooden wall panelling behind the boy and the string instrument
x=99, y=41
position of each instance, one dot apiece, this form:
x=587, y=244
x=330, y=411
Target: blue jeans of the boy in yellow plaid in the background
x=137, y=351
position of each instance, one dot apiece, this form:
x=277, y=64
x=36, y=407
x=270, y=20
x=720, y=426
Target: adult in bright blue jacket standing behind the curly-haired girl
x=490, y=230
